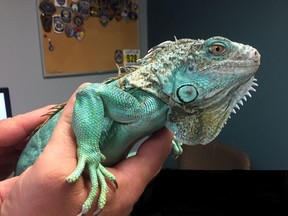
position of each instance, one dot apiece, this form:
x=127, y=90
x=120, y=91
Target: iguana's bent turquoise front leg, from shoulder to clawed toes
x=92, y=103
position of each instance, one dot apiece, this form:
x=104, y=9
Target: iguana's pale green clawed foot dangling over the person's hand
x=98, y=174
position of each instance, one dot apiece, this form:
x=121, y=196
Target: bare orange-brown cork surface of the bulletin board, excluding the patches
x=94, y=53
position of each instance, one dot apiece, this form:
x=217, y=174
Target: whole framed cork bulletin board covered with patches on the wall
x=97, y=45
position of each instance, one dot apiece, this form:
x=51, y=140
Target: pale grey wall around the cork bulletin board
x=20, y=59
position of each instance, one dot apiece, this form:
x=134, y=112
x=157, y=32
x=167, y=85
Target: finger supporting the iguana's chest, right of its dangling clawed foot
x=133, y=174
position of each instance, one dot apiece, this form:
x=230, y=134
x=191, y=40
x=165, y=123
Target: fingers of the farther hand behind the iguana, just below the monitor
x=16, y=129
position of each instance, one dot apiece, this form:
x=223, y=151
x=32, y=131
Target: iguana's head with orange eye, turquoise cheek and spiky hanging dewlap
x=203, y=81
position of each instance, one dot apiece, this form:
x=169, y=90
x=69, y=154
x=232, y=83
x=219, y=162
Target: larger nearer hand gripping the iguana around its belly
x=42, y=190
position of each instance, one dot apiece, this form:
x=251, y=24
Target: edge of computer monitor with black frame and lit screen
x=5, y=105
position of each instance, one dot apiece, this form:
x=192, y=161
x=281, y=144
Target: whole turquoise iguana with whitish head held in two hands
x=189, y=86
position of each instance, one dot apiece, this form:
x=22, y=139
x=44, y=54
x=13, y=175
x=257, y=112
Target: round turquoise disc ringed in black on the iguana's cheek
x=186, y=93
